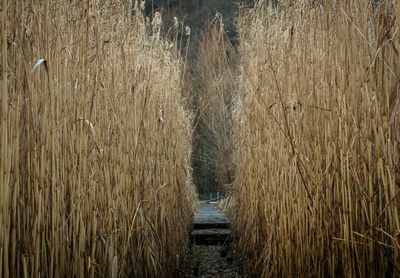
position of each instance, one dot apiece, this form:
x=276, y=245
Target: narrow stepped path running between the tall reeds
x=211, y=251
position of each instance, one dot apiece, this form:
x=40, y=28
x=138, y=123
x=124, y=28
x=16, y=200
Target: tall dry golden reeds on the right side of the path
x=317, y=136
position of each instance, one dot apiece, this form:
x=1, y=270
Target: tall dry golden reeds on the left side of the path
x=95, y=175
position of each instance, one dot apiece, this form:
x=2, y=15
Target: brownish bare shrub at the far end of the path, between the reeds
x=214, y=83
